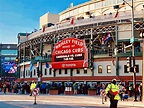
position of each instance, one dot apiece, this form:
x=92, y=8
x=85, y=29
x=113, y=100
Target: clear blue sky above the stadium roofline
x=19, y=16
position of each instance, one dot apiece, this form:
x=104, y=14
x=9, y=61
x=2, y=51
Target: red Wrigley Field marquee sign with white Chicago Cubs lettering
x=70, y=53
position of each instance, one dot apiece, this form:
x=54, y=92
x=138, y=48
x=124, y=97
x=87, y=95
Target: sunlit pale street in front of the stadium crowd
x=59, y=101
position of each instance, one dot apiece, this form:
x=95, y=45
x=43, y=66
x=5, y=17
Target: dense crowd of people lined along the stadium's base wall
x=77, y=87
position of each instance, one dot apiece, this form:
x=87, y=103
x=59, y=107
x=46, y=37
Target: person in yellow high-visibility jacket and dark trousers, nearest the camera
x=112, y=91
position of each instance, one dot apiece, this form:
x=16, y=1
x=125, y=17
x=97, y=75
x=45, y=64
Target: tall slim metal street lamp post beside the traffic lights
x=133, y=48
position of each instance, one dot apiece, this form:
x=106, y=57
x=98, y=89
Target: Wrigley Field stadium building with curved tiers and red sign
x=90, y=42
